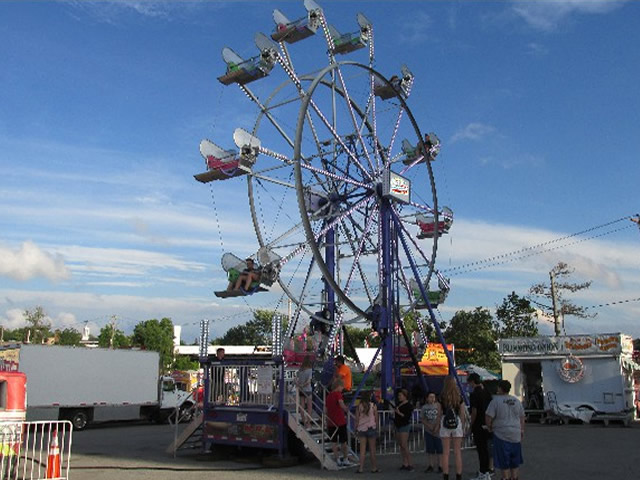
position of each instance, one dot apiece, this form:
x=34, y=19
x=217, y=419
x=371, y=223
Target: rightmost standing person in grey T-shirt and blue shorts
x=505, y=418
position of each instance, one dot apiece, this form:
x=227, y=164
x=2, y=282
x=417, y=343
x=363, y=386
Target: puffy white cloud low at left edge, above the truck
x=29, y=262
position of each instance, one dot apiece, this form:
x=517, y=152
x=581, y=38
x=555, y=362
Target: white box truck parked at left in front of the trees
x=86, y=385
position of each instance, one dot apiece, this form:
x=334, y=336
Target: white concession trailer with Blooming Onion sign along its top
x=573, y=376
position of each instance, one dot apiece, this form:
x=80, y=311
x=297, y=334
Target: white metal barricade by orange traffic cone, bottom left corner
x=35, y=450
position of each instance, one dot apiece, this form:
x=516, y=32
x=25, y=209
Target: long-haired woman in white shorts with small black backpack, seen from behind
x=452, y=426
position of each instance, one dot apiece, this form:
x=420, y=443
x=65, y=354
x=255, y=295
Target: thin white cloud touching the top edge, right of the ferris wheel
x=547, y=15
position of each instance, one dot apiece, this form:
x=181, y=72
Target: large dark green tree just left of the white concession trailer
x=474, y=337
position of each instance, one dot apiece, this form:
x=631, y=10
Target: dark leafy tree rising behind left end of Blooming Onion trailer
x=516, y=318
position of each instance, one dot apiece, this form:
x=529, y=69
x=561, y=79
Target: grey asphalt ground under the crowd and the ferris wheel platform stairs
x=137, y=451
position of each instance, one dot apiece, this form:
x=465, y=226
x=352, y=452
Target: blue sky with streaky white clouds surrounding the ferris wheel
x=103, y=106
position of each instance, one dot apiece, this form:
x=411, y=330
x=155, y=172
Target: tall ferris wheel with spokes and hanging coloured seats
x=339, y=176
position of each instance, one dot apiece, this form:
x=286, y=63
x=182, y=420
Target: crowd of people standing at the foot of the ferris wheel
x=496, y=423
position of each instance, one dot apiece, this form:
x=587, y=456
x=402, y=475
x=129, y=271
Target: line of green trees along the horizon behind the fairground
x=474, y=333
